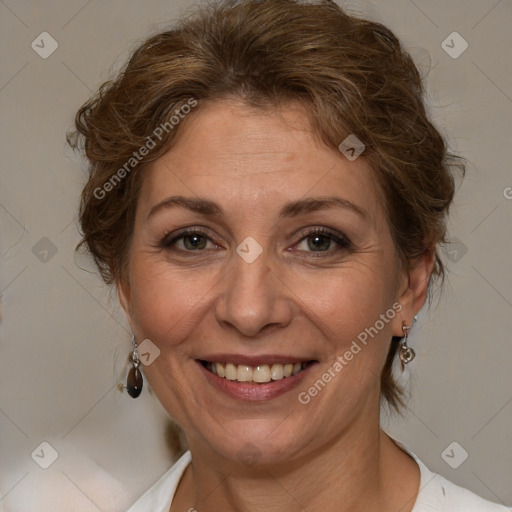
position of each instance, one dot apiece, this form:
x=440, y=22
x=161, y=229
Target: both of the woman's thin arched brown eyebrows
x=300, y=207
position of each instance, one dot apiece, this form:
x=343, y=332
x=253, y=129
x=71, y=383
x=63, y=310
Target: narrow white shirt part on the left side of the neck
x=158, y=497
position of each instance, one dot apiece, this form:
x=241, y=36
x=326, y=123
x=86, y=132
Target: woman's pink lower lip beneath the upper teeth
x=253, y=392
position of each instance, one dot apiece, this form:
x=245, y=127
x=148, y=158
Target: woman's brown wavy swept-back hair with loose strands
x=352, y=75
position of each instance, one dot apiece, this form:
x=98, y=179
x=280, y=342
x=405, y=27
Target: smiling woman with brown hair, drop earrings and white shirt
x=267, y=194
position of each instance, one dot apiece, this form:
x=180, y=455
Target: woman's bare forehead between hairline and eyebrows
x=248, y=158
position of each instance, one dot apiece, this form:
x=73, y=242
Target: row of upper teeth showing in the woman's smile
x=260, y=373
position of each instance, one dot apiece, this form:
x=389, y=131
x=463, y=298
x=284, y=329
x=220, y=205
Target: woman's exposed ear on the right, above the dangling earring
x=413, y=290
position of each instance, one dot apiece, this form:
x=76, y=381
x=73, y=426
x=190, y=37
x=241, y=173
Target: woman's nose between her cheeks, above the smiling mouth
x=253, y=301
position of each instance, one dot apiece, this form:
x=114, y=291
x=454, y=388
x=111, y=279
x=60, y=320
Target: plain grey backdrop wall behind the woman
x=64, y=339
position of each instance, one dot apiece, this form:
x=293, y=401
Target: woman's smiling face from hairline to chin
x=256, y=247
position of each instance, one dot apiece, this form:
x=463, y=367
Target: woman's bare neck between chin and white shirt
x=360, y=470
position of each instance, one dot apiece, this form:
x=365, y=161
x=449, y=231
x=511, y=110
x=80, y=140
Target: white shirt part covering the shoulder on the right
x=437, y=494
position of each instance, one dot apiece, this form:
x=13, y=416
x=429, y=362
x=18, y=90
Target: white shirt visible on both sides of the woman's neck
x=436, y=493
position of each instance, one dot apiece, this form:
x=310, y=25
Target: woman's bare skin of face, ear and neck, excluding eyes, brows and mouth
x=293, y=299
